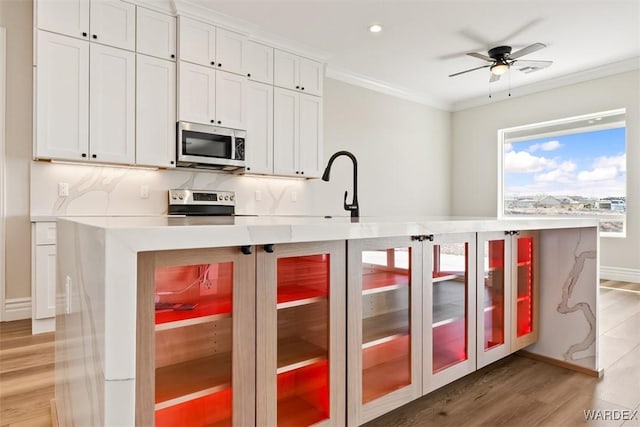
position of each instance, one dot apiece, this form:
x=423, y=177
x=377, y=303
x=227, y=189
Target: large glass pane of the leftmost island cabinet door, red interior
x=193, y=344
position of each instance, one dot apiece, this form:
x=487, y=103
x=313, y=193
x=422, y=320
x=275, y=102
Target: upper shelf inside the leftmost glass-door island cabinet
x=207, y=309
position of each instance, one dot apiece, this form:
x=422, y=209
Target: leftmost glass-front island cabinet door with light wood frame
x=201, y=337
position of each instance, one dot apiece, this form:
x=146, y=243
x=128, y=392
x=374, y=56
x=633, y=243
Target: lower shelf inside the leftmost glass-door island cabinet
x=190, y=380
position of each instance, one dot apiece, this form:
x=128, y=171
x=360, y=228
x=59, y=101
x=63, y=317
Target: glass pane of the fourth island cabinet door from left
x=449, y=326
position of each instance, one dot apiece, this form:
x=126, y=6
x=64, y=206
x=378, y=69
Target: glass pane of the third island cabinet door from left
x=386, y=302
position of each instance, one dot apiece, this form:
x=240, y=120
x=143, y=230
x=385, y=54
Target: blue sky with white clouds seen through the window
x=590, y=164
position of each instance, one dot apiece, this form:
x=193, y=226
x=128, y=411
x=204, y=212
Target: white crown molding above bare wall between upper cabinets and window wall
x=347, y=76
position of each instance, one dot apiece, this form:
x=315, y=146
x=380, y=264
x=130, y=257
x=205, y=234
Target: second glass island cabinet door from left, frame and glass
x=300, y=328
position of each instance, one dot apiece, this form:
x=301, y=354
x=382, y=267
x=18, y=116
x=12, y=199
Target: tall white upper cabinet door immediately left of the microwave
x=155, y=112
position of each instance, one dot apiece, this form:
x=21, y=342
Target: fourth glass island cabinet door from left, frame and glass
x=449, y=309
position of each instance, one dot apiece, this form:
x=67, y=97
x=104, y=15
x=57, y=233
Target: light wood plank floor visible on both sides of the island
x=513, y=392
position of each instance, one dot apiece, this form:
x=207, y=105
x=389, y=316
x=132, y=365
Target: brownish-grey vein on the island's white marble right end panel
x=565, y=308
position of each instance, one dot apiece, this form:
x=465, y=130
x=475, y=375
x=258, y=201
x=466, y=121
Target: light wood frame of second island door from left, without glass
x=266, y=329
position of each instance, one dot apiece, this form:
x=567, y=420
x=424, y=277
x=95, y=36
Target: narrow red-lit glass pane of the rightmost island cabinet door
x=524, y=320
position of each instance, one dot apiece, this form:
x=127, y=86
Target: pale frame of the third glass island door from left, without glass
x=359, y=413
